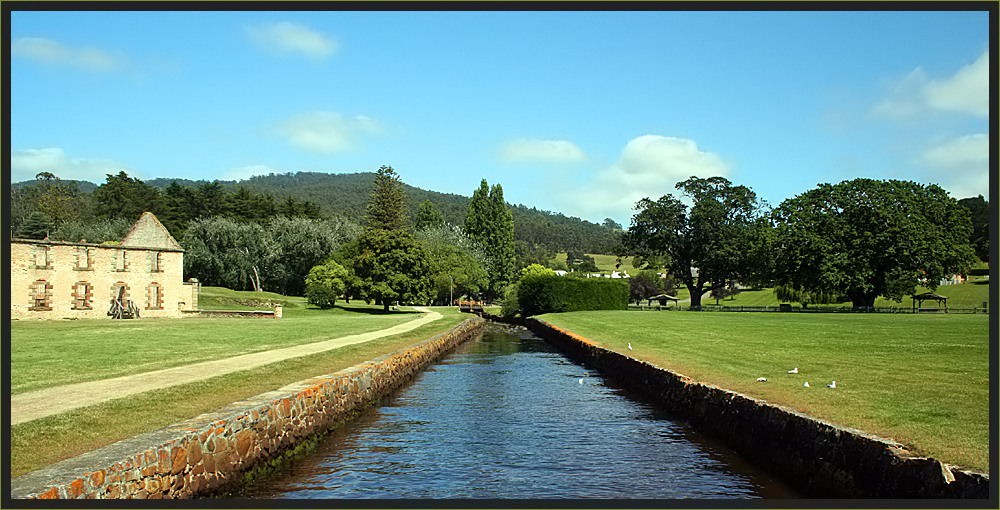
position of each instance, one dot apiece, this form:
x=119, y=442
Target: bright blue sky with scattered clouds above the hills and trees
x=578, y=112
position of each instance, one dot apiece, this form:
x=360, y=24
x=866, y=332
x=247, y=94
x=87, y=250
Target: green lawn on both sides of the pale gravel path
x=72, y=345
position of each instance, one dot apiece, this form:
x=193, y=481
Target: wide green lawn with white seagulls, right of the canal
x=922, y=380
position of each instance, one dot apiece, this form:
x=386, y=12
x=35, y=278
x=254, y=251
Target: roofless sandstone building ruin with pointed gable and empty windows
x=56, y=279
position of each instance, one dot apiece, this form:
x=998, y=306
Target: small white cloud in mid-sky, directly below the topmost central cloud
x=327, y=132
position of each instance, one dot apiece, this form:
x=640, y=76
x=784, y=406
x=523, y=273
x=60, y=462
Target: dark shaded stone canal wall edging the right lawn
x=820, y=458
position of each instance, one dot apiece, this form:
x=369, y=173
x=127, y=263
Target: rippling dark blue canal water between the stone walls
x=509, y=417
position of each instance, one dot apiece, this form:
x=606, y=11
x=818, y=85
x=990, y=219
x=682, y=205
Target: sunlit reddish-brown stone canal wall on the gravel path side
x=206, y=453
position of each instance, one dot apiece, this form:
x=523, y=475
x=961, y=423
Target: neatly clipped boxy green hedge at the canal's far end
x=540, y=294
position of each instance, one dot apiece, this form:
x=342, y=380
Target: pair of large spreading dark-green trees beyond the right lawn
x=857, y=240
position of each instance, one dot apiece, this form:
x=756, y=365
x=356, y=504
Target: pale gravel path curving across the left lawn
x=46, y=402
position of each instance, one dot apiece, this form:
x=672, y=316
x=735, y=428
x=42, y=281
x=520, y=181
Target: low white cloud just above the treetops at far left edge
x=26, y=164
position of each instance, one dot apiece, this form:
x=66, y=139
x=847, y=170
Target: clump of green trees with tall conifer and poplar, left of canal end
x=387, y=263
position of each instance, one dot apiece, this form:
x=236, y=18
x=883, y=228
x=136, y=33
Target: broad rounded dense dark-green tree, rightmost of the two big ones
x=866, y=238
